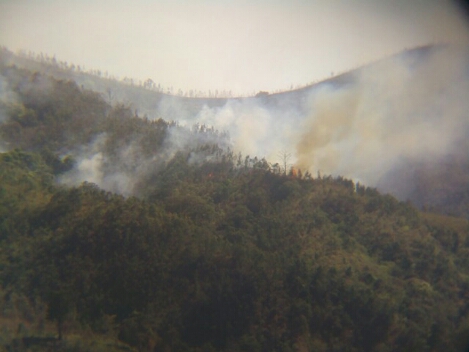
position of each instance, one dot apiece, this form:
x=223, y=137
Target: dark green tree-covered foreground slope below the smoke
x=225, y=263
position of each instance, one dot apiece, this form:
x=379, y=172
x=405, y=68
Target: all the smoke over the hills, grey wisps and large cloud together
x=376, y=125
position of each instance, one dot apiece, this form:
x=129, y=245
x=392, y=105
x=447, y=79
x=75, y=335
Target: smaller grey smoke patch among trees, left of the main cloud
x=124, y=168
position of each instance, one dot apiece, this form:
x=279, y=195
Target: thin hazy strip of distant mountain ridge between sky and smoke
x=151, y=101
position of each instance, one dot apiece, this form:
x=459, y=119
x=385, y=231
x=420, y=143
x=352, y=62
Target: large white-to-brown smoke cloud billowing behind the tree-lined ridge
x=364, y=125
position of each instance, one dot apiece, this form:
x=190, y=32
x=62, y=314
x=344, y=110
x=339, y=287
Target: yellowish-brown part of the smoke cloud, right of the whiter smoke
x=403, y=108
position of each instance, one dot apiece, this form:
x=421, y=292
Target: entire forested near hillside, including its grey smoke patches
x=204, y=249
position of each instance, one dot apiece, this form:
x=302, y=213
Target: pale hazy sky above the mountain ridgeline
x=243, y=46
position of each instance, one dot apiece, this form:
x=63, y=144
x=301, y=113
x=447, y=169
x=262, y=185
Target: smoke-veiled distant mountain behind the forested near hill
x=398, y=124
